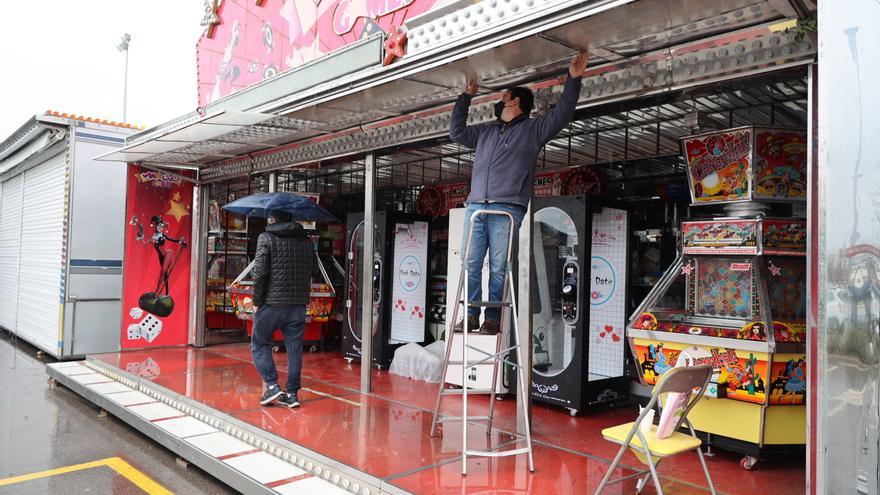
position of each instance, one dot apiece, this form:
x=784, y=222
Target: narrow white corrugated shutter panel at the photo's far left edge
x=10, y=232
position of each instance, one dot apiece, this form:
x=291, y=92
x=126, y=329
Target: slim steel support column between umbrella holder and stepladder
x=367, y=267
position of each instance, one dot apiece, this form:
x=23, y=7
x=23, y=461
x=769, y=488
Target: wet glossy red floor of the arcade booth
x=385, y=433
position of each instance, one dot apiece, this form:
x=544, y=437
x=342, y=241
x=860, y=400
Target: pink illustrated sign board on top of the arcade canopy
x=254, y=42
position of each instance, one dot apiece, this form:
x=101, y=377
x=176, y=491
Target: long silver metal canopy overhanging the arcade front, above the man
x=639, y=48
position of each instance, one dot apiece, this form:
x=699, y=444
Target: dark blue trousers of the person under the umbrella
x=291, y=320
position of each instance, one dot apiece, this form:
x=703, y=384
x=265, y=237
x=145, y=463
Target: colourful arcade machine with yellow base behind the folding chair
x=735, y=297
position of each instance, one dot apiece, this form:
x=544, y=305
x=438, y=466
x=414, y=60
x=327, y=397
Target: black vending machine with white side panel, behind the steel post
x=399, y=285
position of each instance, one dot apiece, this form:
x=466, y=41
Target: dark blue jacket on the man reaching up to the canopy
x=506, y=153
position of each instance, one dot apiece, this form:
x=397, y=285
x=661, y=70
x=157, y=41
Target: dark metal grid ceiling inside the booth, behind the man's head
x=632, y=144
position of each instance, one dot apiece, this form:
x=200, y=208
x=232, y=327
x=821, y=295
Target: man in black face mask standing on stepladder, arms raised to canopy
x=502, y=177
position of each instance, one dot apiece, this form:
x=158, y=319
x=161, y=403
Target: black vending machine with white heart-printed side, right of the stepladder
x=579, y=301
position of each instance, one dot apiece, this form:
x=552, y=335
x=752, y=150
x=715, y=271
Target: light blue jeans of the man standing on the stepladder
x=490, y=235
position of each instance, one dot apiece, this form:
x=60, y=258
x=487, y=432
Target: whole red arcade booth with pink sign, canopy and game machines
x=652, y=232
